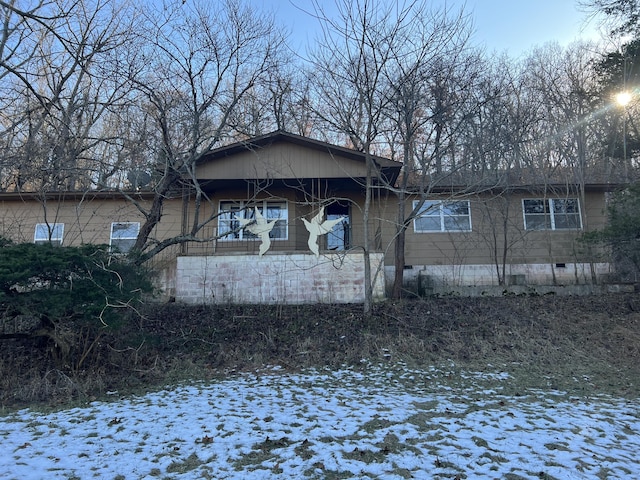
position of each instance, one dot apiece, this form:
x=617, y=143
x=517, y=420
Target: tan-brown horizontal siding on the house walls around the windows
x=89, y=221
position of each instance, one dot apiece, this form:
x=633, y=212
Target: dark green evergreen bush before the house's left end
x=63, y=298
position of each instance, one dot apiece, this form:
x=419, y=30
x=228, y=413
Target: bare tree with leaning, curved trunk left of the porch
x=199, y=65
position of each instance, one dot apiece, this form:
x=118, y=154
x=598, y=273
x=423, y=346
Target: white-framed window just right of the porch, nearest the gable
x=436, y=216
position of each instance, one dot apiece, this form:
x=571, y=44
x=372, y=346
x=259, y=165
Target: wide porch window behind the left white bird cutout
x=229, y=227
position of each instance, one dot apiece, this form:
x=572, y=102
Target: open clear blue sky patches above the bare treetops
x=512, y=25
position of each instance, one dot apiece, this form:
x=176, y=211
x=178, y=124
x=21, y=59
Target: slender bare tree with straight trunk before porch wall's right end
x=350, y=66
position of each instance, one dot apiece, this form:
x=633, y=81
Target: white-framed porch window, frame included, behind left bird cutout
x=225, y=216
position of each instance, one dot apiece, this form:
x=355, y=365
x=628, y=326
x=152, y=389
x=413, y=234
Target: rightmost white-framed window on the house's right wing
x=552, y=214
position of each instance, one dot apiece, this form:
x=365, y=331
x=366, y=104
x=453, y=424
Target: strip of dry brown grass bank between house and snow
x=583, y=344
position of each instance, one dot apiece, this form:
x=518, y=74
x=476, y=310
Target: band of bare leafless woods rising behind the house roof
x=95, y=92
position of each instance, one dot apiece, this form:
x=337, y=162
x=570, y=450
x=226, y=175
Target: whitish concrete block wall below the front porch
x=275, y=278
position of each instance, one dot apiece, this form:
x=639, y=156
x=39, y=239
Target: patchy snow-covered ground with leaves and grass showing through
x=374, y=422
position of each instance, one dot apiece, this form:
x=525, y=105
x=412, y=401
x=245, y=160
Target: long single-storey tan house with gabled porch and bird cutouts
x=283, y=222
